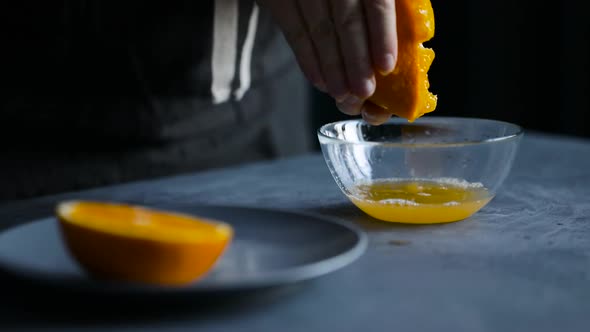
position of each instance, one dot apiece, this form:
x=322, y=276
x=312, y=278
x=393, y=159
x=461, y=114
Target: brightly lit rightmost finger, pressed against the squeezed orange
x=382, y=22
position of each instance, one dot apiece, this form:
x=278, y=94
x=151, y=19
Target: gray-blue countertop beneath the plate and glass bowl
x=520, y=264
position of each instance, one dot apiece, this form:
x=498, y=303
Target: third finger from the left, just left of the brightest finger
x=350, y=23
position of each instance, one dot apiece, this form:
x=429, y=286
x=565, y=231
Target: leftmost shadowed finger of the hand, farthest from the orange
x=289, y=19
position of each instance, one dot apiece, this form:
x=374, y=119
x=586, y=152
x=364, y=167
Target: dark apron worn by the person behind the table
x=103, y=92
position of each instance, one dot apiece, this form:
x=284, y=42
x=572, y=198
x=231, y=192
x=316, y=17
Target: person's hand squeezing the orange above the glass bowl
x=339, y=44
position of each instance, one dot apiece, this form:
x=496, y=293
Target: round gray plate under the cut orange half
x=270, y=248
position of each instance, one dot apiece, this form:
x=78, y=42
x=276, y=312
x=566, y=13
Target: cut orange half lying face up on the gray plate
x=138, y=244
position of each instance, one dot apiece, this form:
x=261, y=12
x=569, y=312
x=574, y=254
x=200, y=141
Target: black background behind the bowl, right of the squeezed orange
x=523, y=61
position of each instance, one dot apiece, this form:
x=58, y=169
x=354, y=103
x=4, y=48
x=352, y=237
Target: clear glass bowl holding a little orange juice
x=434, y=170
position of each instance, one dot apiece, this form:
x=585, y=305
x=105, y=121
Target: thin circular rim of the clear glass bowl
x=518, y=133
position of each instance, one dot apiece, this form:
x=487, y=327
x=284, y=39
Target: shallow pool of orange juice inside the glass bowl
x=419, y=201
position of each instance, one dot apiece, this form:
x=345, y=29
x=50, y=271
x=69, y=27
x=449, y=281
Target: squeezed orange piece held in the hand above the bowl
x=404, y=92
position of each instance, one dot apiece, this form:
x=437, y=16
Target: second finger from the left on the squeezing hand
x=325, y=41
